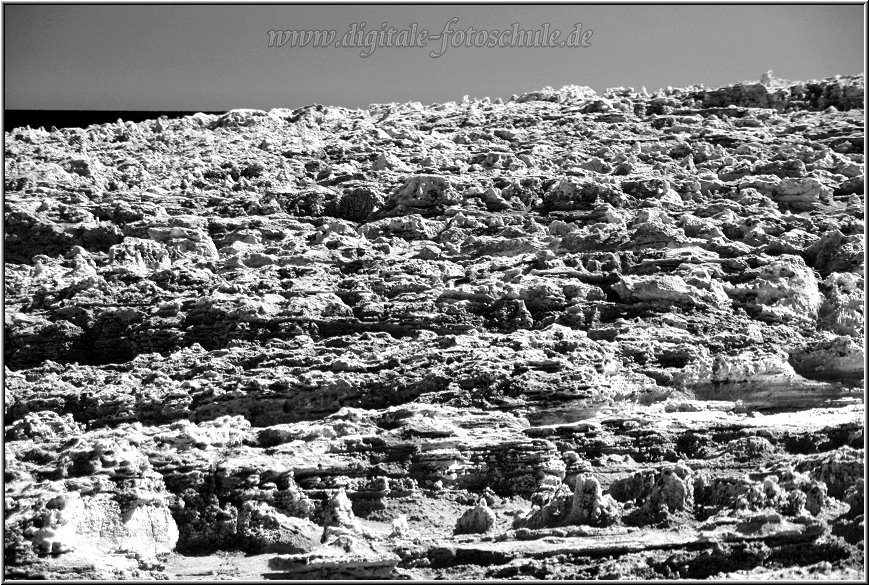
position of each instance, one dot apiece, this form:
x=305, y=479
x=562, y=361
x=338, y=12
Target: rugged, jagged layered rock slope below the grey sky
x=567, y=336
